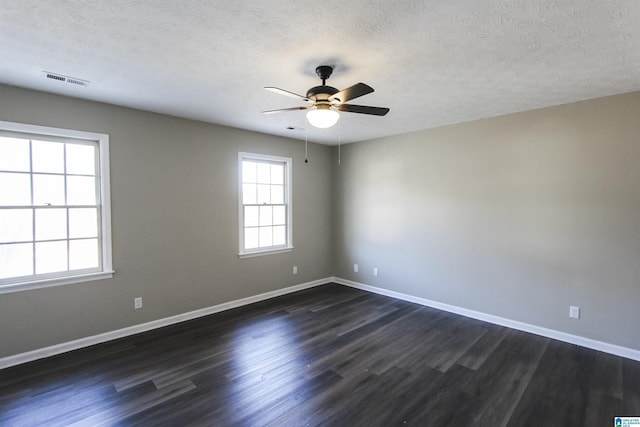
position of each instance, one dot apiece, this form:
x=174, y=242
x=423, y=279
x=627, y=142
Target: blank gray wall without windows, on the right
x=518, y=216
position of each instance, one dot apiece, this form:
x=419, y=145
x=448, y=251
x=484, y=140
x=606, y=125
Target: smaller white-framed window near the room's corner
x=265, y=204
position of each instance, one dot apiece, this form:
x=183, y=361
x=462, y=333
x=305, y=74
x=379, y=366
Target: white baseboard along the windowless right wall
x=549, y=333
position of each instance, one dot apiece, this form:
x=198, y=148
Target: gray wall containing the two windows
x=174, y=221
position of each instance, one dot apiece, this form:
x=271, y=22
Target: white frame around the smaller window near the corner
x=288, y=246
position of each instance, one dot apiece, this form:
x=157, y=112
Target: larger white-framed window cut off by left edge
x=54, y=207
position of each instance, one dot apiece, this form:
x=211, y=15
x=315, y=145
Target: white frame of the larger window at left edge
x=104, y=205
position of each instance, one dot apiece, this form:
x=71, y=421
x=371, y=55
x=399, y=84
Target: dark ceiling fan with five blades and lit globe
x=326, y=101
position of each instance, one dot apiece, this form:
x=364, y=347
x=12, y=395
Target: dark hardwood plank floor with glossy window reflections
x=330, y=356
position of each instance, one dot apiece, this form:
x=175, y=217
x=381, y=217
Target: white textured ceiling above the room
x=431, y=62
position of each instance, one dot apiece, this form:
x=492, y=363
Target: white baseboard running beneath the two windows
x=136, y=329
